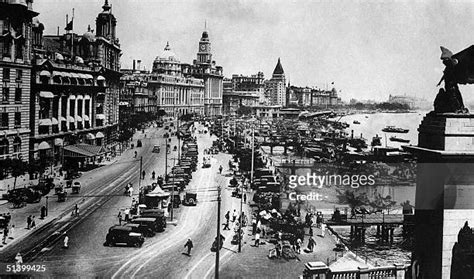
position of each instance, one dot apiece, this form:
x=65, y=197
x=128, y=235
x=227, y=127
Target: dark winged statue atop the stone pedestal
x=459, y=70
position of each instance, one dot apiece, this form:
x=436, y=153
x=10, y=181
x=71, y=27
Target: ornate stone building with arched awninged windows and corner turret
x=75, y=92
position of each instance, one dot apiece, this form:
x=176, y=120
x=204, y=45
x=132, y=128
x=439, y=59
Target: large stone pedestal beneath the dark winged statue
x=444, y=190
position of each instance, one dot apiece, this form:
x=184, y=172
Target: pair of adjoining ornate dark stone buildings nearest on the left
x=60, y=93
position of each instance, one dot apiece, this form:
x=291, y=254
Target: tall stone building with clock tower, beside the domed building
x=205, y=68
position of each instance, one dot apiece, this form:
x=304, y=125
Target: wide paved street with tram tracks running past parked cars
x=161, y=254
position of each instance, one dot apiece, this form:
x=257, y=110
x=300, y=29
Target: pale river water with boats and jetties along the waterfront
x=370, y=126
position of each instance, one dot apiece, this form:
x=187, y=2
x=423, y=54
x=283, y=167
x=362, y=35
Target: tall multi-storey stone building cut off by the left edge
x=16, y=21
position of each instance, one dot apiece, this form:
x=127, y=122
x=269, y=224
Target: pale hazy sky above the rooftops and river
x=369, y=49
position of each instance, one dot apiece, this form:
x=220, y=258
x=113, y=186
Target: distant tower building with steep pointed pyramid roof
x=275, y=88
